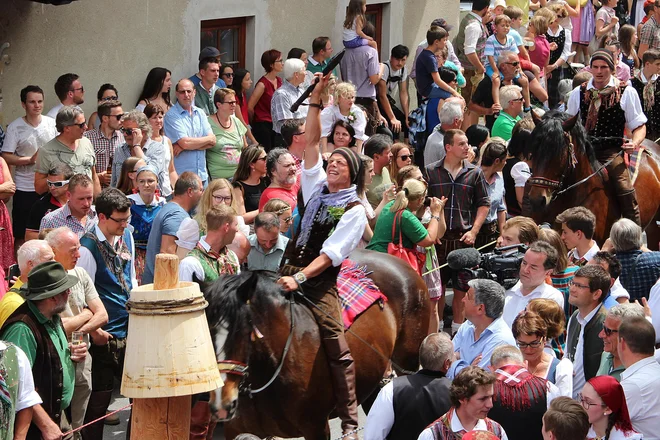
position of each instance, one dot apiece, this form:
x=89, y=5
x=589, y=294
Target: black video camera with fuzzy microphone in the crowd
x=502, y=265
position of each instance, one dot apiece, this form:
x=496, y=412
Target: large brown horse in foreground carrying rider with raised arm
x=299, y=401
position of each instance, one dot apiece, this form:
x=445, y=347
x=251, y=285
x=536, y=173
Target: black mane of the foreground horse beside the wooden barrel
x=228, y=299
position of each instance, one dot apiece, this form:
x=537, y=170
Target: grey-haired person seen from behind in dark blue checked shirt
x=640, y=268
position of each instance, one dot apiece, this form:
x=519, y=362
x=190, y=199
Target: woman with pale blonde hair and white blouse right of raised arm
x=344, y=108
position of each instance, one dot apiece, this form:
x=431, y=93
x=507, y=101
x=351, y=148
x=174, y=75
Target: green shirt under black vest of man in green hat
x=21, y=335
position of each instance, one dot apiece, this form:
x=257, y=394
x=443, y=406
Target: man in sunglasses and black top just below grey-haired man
x=56, y=197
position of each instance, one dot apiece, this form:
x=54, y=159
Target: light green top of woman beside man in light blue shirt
x=222, y=159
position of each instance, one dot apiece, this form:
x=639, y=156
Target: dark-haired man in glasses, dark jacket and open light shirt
x=584, y=347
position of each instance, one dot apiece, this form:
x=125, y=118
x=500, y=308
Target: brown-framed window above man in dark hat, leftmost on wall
x=228, y=36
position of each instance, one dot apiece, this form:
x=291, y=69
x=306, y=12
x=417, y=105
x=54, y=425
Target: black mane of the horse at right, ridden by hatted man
x=549, y=145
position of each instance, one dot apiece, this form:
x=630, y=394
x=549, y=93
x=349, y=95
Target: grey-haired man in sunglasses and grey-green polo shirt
x=69, y=147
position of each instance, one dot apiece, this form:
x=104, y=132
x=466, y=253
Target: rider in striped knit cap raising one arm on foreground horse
x=333, y=222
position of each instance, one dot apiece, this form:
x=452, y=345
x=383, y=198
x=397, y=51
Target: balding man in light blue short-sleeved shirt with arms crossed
x=189, y=129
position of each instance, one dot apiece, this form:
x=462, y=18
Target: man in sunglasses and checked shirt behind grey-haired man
x=106, y=139
